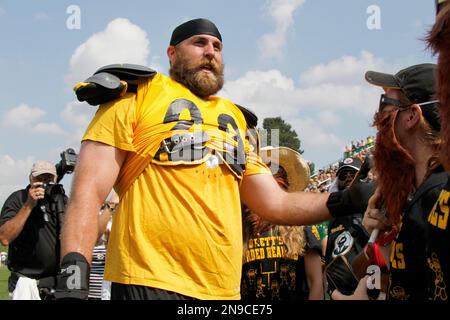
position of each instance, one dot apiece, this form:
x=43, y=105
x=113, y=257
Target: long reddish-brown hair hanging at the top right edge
x=439, y=41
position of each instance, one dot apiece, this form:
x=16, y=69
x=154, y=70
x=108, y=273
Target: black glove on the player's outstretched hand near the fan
x=355, y=198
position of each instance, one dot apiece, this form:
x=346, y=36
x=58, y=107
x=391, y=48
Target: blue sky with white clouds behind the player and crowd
x=303, y=60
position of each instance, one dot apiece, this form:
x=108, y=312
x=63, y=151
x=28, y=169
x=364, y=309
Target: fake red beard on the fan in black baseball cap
x=394, y=167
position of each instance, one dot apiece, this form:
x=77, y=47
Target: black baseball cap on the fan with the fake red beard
x=418, y=84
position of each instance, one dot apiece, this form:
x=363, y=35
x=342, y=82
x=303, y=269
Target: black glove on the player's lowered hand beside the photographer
x=72, y=282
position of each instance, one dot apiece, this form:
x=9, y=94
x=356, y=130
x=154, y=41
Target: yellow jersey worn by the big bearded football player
x=178, y=224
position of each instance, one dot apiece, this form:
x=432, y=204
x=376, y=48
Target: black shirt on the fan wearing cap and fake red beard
x=407, y=276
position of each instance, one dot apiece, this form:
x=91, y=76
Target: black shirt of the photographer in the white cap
x=35, y=252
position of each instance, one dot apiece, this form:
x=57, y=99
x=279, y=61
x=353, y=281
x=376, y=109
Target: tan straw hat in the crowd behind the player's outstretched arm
x=296, y=168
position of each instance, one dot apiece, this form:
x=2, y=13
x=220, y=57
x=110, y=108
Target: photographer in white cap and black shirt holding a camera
x=30, y=226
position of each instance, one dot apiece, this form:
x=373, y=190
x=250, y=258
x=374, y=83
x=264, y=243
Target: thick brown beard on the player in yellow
x=192, y=77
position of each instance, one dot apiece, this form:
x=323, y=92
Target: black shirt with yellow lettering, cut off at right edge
x=438, y=249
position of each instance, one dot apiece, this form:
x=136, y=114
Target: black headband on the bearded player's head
x=192, y=28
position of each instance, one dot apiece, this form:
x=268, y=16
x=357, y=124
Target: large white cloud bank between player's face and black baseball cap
x=319, y=106
